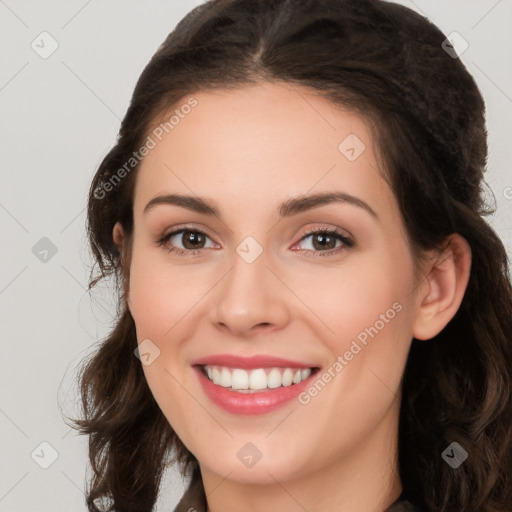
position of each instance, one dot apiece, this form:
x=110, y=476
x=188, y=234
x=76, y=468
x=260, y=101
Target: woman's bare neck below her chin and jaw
x=366, y=479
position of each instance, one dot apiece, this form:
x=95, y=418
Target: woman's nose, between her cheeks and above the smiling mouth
x=250, y=299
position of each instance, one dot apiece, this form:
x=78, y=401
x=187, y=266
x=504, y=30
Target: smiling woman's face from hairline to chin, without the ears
x=252, y=281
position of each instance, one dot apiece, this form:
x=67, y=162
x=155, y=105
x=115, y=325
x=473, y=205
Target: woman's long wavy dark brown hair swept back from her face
x=388, y=64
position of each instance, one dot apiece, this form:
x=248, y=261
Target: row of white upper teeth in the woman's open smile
x=252, y=380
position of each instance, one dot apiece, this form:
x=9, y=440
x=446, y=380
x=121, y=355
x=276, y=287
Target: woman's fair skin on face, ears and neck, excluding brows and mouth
x=248, y=150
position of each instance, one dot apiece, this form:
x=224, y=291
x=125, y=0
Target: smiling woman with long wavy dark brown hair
x=320, y=316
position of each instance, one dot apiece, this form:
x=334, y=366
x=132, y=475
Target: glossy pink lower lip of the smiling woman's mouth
x=249, y=404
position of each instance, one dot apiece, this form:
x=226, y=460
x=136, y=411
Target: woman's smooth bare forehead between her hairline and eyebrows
x=257, y=145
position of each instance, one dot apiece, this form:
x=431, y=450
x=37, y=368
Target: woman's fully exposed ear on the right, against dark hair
x=445, y=283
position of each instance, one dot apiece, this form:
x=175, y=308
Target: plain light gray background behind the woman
x=59, y=116
